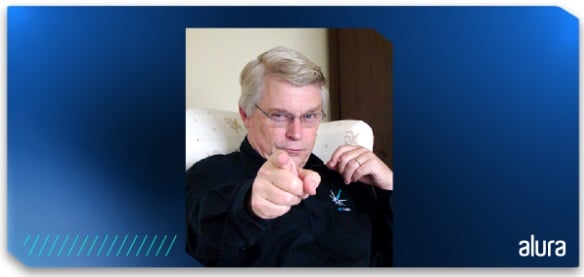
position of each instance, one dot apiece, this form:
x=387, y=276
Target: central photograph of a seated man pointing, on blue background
x=288, y=148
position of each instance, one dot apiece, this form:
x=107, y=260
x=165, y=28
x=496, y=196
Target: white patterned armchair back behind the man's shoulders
x=210, y=132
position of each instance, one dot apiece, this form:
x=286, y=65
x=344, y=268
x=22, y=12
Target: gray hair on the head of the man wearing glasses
x=283, y=63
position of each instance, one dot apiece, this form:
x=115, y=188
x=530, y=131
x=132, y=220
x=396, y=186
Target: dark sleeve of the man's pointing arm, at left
x=220, y=225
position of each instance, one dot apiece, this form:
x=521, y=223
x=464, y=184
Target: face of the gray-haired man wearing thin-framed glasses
x=294, y=138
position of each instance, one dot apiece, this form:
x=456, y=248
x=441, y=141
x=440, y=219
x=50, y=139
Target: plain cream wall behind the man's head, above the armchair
x=215, y=58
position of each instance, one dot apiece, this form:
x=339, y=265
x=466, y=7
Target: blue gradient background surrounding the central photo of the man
x=485, y=129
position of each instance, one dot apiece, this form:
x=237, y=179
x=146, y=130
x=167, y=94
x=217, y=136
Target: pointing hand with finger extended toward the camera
x=279, y=185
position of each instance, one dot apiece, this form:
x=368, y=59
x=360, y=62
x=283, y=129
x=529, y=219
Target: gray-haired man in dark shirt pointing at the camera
x=274, y=203
